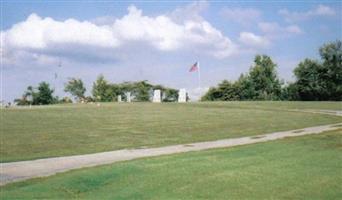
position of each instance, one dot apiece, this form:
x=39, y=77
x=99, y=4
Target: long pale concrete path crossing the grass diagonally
x=22, y=170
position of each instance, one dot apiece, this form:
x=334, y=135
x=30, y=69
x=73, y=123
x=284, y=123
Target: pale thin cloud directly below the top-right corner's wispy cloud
x=274, y=30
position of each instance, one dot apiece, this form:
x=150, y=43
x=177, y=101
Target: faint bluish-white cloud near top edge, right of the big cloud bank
x=243, y=16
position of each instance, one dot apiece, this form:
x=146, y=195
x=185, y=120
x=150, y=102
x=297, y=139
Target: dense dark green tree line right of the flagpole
x=315, y=80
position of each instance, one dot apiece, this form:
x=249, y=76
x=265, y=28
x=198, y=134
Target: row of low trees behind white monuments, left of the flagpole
x=102, y=91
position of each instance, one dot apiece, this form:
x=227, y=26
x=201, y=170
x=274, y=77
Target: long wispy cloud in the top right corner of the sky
x=320, y=10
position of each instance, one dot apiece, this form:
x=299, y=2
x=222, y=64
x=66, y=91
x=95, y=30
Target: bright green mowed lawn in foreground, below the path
x=307, y=167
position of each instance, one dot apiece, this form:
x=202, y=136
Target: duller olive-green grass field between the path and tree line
x=49, y=131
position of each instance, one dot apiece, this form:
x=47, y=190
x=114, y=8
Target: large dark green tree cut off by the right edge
x=320, y=80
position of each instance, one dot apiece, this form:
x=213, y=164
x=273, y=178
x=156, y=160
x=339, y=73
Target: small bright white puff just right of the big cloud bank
x=250, y=39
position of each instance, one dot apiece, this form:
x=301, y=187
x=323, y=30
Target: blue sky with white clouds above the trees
x=157, y=41
